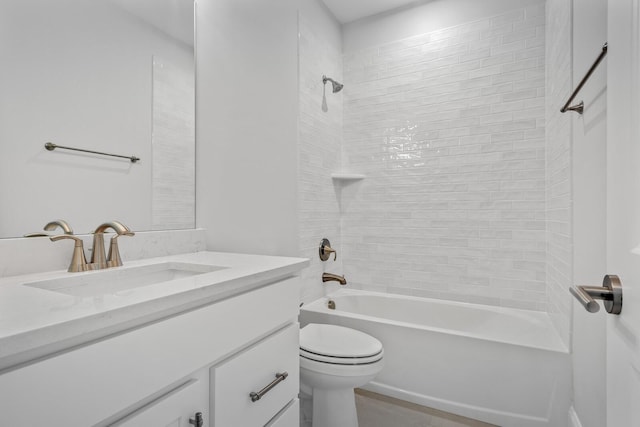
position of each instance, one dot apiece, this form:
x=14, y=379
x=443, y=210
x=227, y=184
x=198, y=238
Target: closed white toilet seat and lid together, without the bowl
x=338, y=345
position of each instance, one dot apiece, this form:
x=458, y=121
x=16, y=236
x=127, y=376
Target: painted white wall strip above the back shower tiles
x=414, y=20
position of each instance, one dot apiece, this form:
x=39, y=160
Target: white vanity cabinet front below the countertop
x=160, y=374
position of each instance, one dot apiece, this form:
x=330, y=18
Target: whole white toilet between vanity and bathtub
x=333, y=361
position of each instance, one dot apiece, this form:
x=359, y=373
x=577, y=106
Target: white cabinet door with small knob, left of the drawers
x=174, y=408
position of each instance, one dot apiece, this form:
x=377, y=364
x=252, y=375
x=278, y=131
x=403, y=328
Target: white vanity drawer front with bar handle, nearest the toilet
x=233, y=381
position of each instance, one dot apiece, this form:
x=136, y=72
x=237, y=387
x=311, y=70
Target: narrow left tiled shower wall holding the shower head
x=320, y=140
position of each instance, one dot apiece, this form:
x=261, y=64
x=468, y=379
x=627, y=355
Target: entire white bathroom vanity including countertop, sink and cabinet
x=209, y=341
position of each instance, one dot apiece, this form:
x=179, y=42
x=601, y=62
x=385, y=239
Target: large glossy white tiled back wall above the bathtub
x=449, y=128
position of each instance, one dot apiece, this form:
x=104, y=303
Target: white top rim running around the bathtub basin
x=319, y=306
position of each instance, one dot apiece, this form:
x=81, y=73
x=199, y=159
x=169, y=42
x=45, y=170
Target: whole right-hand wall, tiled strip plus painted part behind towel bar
x=576, y=170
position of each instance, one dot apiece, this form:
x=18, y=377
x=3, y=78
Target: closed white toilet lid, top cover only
x=338, y=341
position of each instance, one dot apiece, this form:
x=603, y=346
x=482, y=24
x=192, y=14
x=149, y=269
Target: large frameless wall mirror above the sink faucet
x=113, y=76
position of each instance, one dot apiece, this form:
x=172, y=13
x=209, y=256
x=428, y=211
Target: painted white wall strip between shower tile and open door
x=589, y=161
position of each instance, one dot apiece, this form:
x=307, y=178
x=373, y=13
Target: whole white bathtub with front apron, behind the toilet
x=503, y=366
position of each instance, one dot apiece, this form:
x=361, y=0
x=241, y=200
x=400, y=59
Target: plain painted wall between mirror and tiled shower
x=246, y=125
